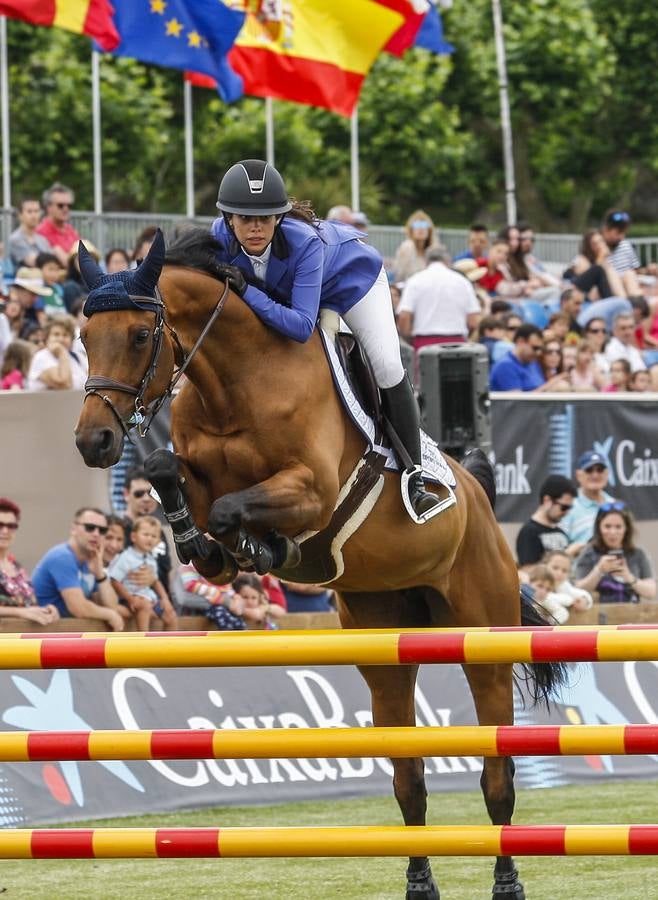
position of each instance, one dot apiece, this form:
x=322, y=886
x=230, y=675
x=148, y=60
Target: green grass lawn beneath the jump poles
x=577, y=878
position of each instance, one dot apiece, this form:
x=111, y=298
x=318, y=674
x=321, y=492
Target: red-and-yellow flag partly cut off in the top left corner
x=90, y=17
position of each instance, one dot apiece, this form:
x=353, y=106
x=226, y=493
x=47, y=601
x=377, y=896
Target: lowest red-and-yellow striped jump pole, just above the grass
x=439, y=840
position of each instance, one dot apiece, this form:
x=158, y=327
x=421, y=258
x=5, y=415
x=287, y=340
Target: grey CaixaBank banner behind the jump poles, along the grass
x=73, y=700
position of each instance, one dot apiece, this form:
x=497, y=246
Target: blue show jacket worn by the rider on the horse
x=312, y=267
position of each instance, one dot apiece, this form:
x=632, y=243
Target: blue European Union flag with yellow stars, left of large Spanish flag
x=181, y=34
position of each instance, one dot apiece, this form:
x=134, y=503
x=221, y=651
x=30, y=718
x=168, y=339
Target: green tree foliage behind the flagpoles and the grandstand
x=583, y=108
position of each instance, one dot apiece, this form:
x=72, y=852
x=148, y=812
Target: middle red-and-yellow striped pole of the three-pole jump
x=281, y=743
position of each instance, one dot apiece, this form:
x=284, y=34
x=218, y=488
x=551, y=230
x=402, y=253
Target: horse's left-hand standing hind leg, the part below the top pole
x=392, y=690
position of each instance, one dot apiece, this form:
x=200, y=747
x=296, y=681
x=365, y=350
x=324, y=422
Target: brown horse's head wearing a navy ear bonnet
x=131, y=356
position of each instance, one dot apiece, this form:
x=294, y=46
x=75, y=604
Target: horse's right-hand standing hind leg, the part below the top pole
x=492, y=689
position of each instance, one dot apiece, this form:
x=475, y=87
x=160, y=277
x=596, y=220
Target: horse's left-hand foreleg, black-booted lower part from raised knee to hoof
x=210, y=559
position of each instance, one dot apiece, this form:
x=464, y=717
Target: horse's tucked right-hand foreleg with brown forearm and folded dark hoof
x=259, y=515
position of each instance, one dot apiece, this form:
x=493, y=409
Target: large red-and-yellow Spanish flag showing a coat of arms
x=312, y=51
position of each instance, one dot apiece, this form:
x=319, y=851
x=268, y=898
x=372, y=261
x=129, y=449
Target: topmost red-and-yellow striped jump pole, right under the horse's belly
x=349, y=647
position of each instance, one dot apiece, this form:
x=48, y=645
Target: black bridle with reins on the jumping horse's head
x=142, y=417
